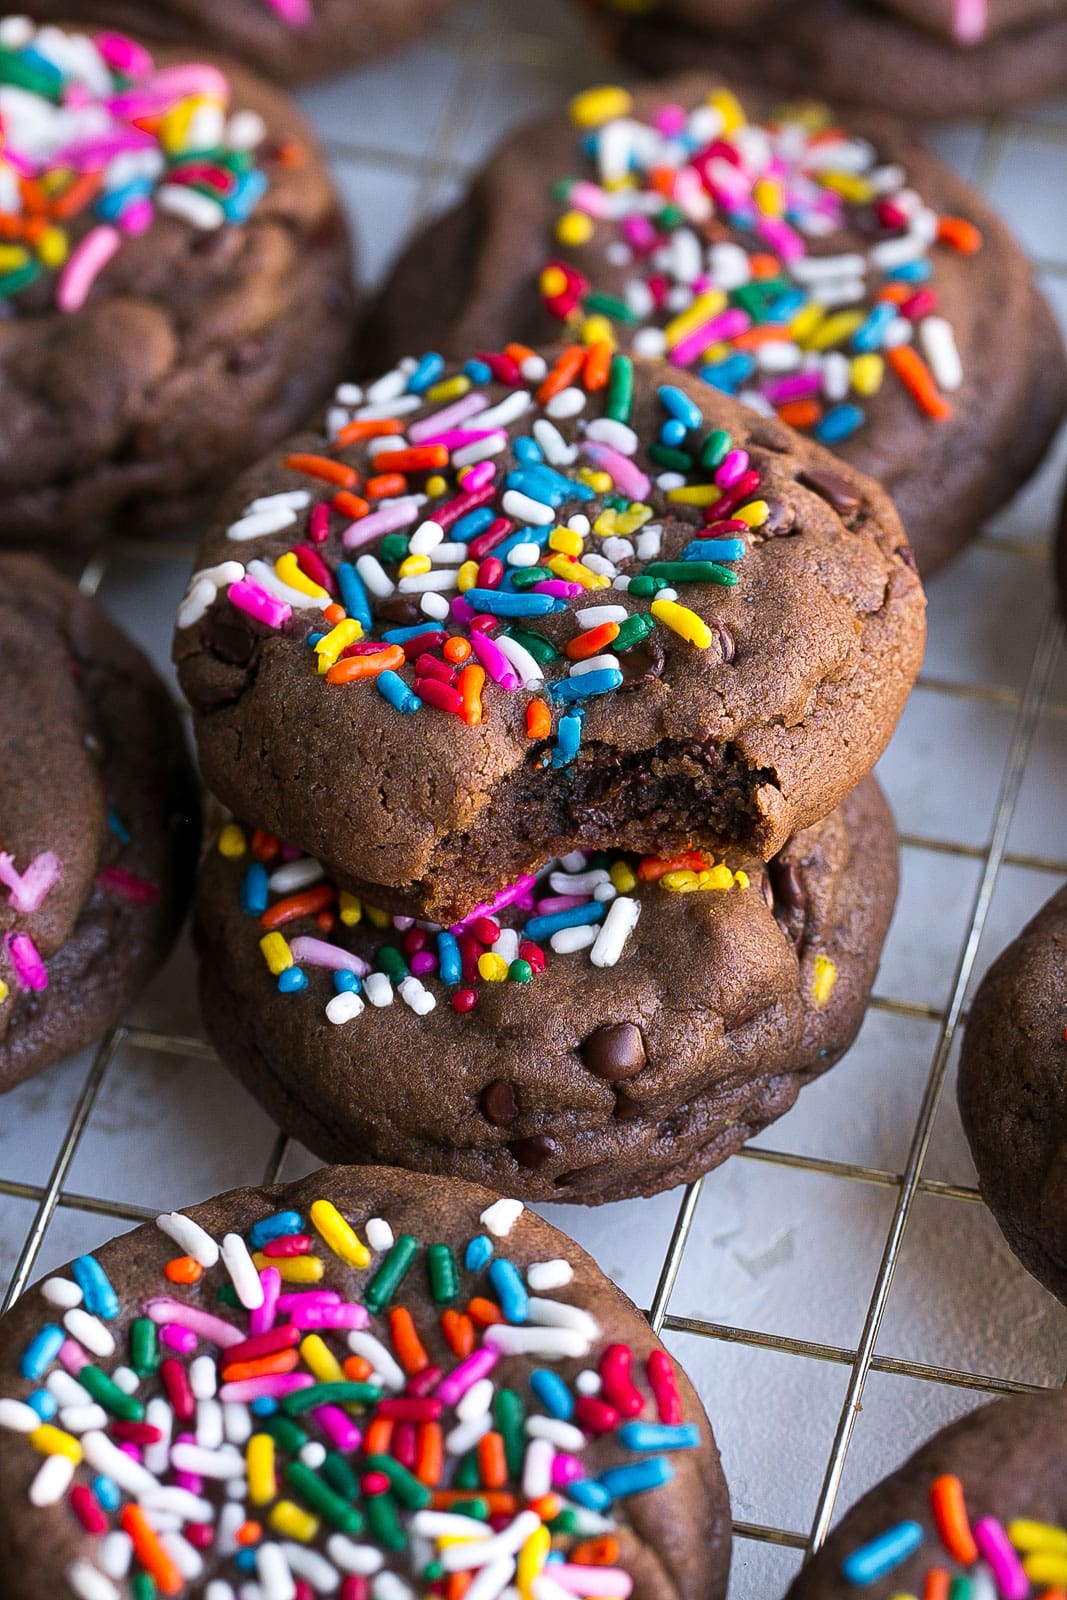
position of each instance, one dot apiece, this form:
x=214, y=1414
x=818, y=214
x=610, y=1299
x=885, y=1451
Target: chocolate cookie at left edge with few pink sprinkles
x=100, y=820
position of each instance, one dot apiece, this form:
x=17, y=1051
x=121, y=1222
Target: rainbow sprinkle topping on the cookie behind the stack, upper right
x=783, y=262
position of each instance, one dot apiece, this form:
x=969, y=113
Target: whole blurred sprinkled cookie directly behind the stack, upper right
x=861, y=314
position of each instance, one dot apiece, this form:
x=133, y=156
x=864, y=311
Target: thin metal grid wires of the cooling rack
x=482, y=47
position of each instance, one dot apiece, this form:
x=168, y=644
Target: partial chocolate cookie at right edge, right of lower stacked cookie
x=1013, y=1094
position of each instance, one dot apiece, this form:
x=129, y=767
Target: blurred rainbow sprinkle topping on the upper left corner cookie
x=98, y=140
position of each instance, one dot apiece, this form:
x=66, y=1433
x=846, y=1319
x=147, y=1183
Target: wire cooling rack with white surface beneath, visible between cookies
x=837, y=1292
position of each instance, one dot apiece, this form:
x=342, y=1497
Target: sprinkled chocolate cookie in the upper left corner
x=177, y=281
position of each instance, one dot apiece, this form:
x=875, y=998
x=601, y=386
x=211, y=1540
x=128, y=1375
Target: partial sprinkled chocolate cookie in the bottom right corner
x=980, y=1510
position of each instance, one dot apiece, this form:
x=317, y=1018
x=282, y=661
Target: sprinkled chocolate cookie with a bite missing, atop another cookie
x=757, y=628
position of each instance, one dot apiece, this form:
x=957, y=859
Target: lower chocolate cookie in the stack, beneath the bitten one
x=620, y=1028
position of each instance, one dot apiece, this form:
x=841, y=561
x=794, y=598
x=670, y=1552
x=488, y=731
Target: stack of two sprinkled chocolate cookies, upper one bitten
x=545, y=689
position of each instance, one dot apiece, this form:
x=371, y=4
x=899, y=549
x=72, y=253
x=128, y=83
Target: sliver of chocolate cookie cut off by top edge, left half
x=286, y=39
